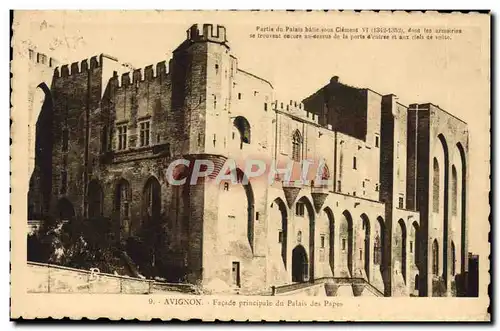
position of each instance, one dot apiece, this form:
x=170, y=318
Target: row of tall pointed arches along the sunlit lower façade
x=341, y=245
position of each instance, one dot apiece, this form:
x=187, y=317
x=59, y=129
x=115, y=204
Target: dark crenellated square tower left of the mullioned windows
x=79, y=114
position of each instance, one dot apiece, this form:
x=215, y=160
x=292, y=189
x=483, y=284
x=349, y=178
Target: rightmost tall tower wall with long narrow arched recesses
x=443, y=140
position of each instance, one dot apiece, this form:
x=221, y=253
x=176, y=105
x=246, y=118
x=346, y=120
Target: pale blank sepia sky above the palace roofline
x=453, y=74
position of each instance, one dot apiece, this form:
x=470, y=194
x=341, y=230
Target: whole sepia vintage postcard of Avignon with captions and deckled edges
x=260, y=166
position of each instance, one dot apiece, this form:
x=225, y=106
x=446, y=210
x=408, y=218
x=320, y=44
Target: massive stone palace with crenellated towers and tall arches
x=393, y=216
